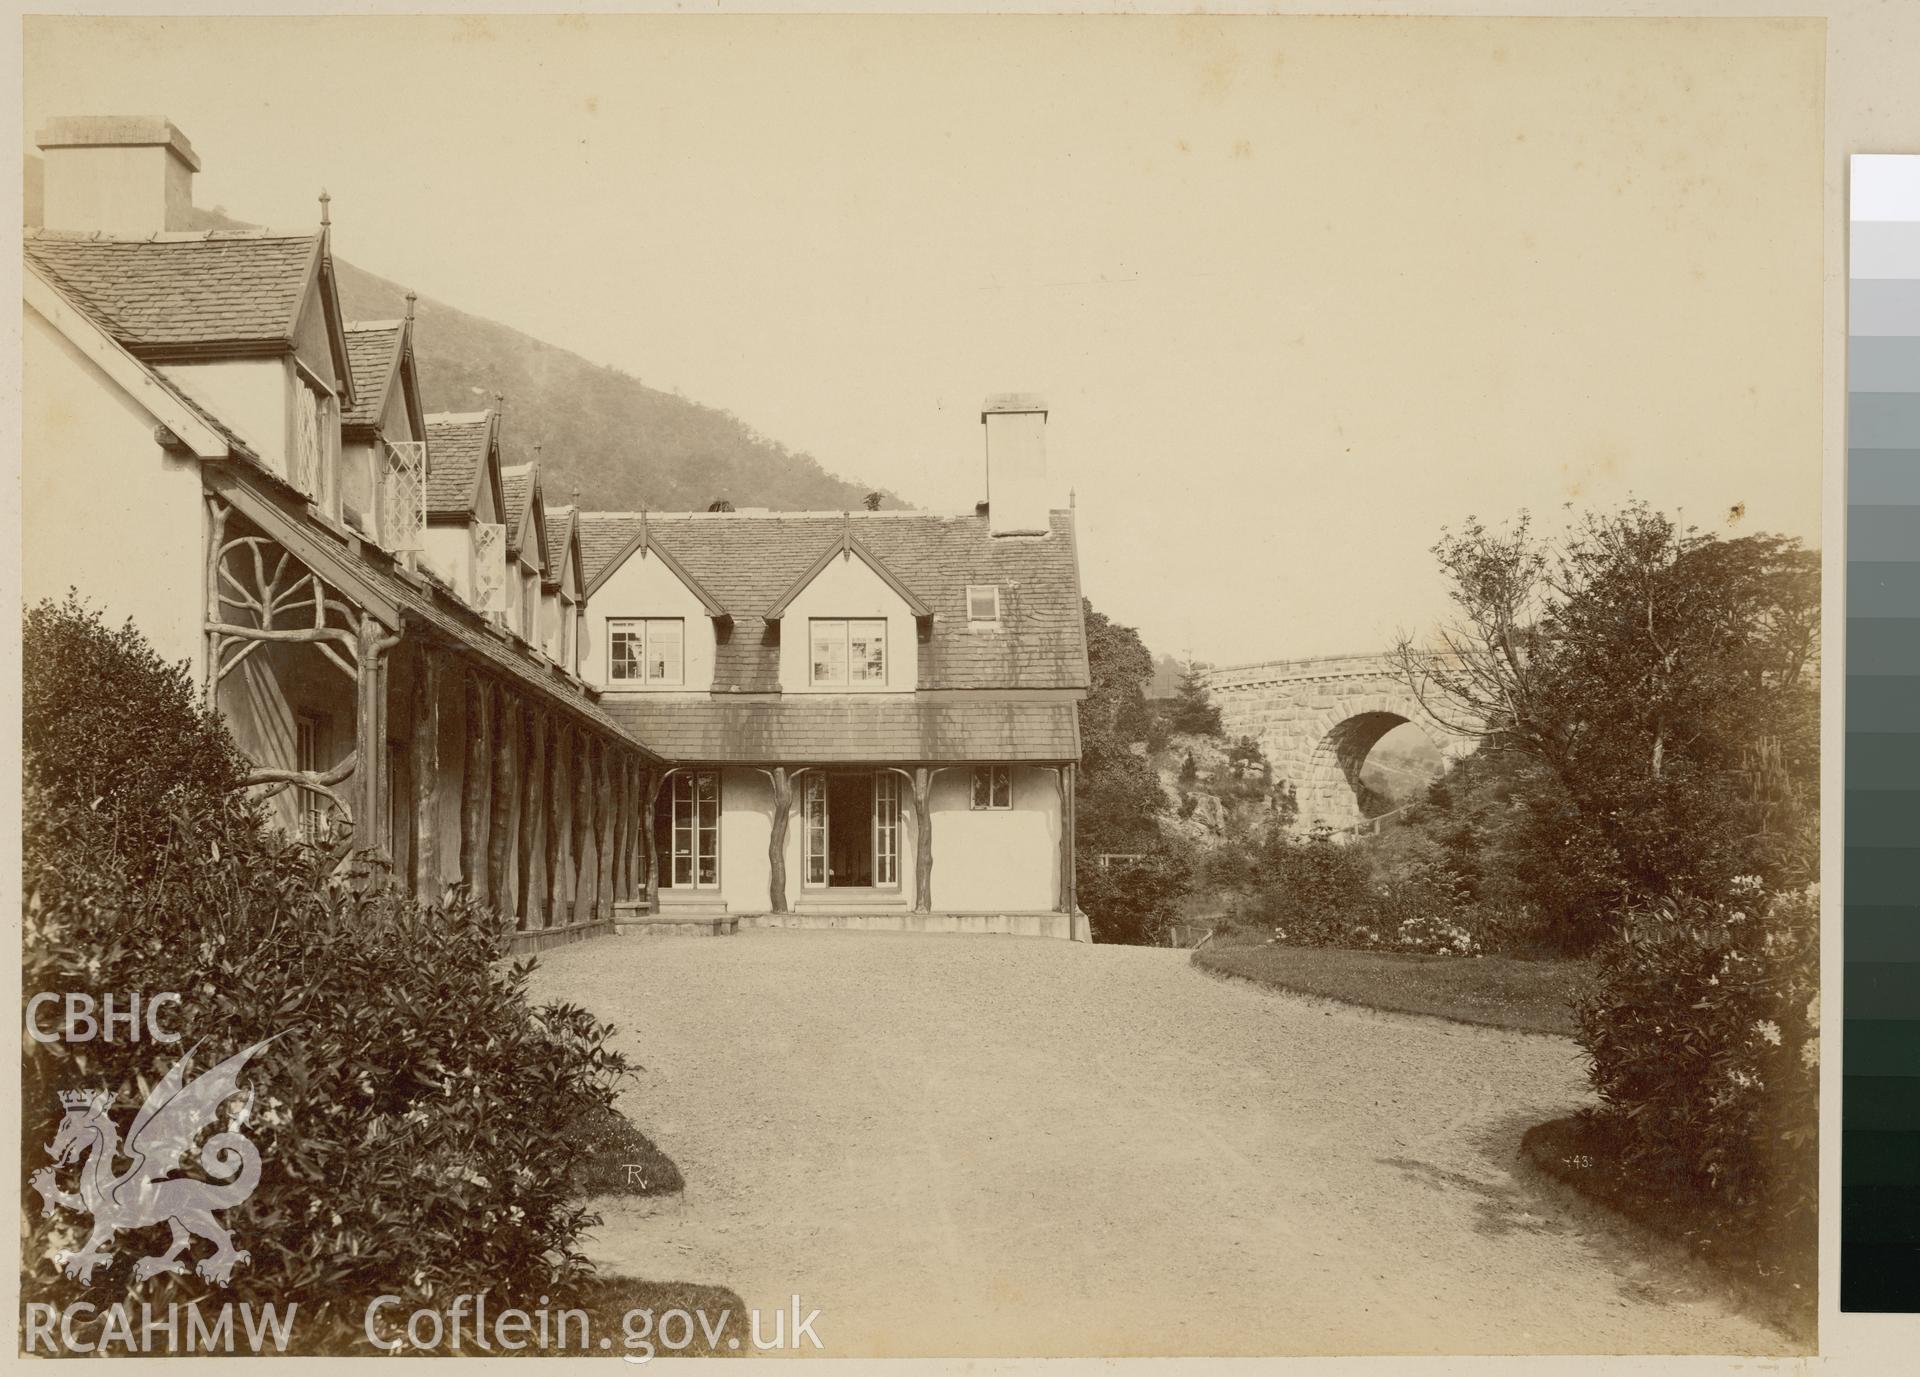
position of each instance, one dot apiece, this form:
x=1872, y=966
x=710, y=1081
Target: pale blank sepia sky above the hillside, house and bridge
x=1299, y=293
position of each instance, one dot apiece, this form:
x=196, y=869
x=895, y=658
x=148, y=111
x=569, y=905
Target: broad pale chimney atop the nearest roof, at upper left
x=118, y=174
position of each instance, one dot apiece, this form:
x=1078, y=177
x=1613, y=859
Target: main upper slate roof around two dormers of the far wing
x=748, y=562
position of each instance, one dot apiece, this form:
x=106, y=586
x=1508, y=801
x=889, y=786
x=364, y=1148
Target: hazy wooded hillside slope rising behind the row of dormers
x=621, y=443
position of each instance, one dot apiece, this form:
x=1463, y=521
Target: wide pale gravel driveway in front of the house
x=1005, y=1146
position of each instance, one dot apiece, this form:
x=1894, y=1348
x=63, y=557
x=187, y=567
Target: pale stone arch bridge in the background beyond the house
x=1320, y=719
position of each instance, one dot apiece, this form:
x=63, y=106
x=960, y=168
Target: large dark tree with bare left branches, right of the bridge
x=1660, y=681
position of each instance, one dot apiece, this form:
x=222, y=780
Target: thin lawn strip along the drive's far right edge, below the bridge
x=1499, y=992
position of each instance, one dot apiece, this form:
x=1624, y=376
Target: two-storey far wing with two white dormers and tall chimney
x=871, y=717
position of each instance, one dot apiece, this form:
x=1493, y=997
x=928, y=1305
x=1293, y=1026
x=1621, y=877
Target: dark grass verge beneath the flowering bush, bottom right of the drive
x=1777, y=1278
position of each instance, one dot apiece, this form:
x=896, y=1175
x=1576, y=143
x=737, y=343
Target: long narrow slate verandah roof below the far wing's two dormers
x=838, y=731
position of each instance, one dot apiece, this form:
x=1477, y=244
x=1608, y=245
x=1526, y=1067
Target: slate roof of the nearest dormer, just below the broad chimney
x=181, y=291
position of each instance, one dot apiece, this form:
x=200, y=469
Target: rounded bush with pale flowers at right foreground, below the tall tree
x=1704, y=1040
